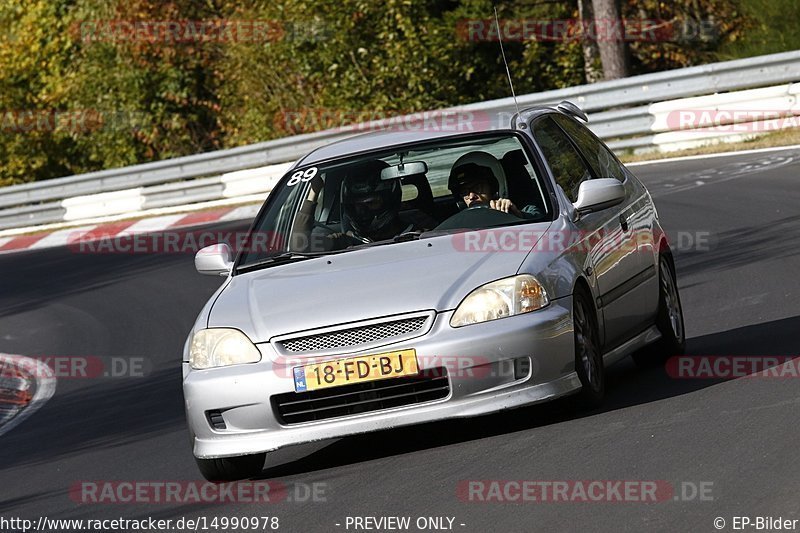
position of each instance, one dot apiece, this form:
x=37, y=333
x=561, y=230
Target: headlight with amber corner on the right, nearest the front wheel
x=499, y=299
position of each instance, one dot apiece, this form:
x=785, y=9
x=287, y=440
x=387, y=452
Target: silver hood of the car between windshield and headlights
x=429, y=274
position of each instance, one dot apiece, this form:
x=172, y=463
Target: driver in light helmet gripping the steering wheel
x=476, y=186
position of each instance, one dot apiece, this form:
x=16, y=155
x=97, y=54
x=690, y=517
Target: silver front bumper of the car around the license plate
x=479, y=359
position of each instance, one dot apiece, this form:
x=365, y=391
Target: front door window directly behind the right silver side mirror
x=568, y=168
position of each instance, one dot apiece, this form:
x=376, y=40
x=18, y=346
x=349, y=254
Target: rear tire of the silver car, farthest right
x=669, y=320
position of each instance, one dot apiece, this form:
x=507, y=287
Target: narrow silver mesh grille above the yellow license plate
x=346, y=338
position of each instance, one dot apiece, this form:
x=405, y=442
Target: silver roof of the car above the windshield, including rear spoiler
x=377, y=140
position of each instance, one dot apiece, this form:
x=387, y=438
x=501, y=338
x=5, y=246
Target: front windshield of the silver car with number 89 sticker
x=398, y=194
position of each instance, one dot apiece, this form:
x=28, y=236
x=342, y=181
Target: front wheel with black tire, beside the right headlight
x=588, y=355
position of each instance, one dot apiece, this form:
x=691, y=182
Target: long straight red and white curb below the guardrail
x=65, y=236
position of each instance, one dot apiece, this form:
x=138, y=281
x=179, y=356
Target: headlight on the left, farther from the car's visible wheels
x=221, y=347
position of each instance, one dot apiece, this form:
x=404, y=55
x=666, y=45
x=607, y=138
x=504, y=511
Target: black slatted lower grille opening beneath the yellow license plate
x=298, y=407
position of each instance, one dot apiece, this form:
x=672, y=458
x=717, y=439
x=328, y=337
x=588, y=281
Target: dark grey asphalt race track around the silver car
x=740, y=293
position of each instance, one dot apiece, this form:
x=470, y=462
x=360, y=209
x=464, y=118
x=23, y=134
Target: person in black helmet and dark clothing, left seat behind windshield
x=371, y=204
